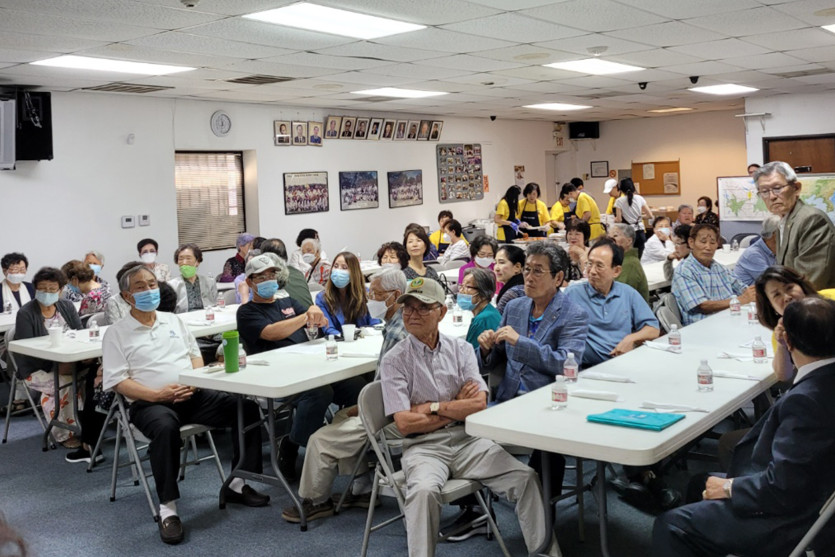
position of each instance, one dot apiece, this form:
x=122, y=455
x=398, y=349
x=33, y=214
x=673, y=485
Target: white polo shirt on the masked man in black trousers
x=152, y=356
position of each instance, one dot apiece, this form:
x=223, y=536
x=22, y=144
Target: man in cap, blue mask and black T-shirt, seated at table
x=268, y=323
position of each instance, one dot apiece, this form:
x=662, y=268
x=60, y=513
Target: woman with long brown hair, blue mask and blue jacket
x=344, y=300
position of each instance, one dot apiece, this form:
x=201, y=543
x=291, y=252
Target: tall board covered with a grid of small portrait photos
x=460, y=172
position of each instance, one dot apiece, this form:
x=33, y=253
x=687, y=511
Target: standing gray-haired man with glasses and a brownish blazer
x=805, y=235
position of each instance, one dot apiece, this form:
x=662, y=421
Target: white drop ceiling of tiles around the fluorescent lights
x=488, y=54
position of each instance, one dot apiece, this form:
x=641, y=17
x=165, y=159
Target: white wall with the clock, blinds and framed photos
x=56, y=210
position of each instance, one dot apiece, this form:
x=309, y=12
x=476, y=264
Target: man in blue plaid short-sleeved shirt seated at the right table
x=701, y=285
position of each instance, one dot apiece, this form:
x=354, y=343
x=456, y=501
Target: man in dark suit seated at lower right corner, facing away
x=781, y=472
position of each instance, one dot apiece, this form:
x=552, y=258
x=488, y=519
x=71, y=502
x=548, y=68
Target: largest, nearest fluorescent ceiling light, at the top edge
x=336, y=22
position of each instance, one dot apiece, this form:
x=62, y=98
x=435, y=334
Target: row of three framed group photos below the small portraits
x=307, y=192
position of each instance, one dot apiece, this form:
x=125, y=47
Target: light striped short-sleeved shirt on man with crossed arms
x=412, y=373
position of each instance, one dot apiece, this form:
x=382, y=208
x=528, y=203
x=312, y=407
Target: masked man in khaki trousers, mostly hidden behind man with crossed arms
x=335, y=448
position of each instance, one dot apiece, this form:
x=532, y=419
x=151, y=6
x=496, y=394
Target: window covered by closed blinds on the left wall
x=210, y=198
